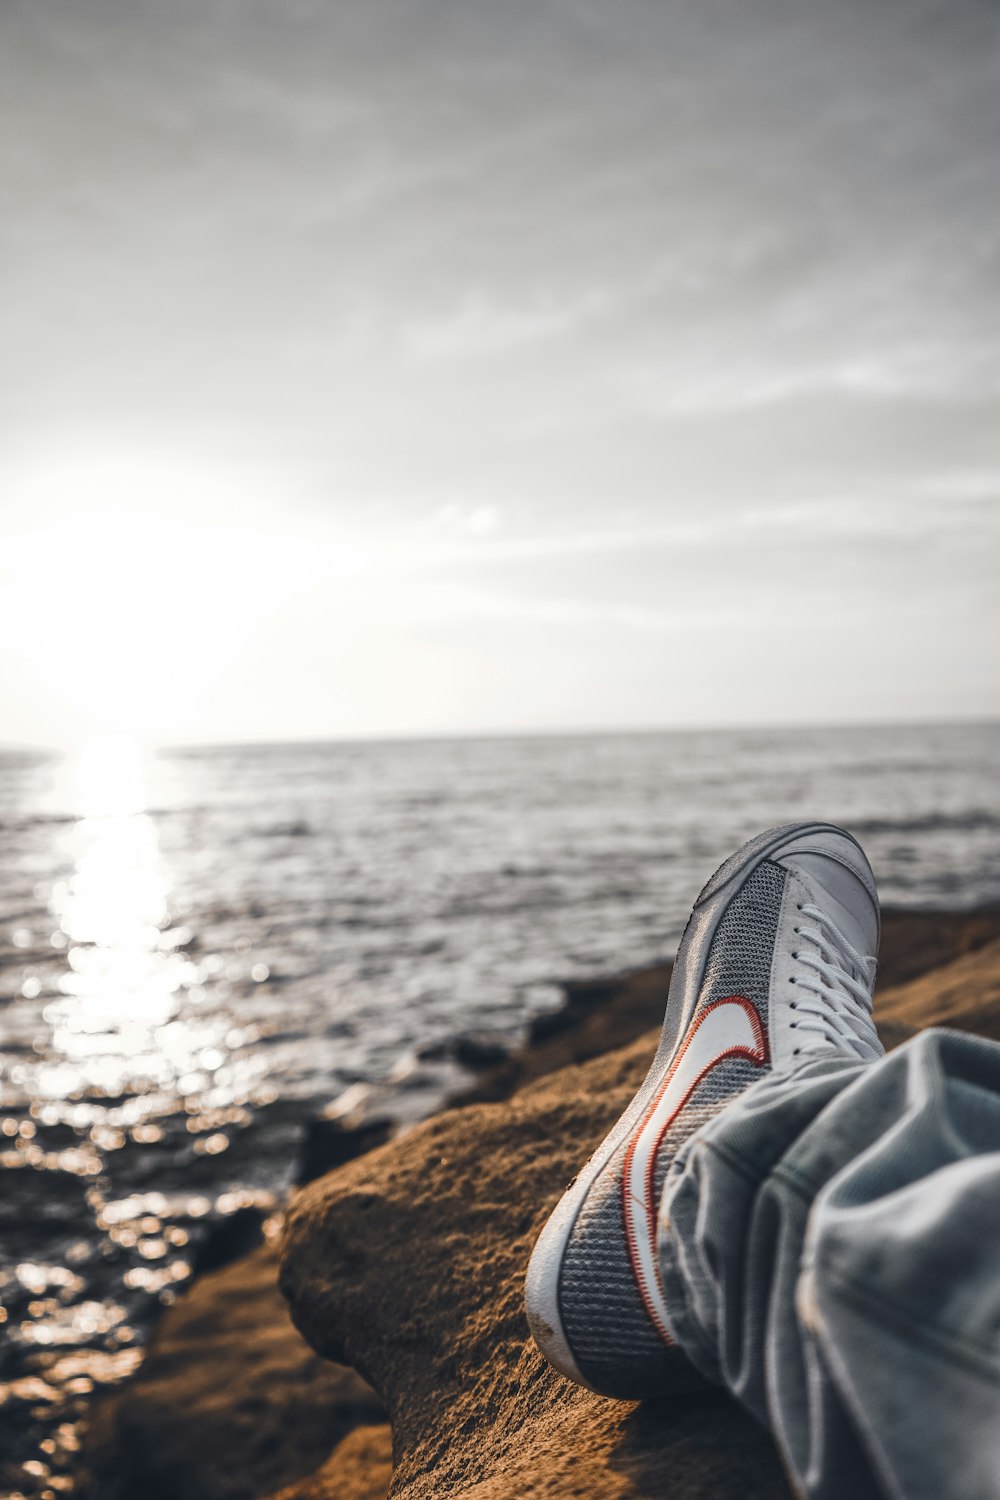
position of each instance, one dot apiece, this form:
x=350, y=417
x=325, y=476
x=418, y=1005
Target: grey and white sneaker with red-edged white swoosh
x=777, y=964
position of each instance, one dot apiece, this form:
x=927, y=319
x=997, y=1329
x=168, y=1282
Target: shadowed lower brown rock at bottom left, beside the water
x=230, y=1403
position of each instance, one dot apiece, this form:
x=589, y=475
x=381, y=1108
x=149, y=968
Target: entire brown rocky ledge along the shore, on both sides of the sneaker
x=407, y=1265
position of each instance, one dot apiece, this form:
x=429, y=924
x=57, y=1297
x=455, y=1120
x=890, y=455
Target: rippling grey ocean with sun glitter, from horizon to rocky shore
x=202, y=949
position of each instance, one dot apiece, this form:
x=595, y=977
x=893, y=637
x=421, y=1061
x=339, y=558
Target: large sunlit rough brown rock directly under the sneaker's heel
x=410, y=1265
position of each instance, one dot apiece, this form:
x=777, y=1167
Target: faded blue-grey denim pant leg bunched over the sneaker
x=831, y=1253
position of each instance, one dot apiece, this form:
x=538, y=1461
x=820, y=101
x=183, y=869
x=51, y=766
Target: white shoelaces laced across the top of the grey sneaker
x=834, y=1001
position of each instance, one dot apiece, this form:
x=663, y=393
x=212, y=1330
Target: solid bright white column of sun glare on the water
x=133, y=1012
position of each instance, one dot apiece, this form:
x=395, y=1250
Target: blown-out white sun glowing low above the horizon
x=125, y=605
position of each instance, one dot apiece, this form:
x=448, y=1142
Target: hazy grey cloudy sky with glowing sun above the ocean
x=439, y=367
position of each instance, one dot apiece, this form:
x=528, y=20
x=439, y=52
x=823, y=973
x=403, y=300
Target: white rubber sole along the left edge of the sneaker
x=545, y=1268
